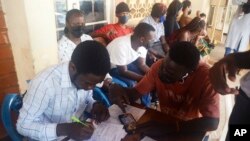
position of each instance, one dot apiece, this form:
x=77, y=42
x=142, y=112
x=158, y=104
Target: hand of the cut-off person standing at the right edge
x=218, y=72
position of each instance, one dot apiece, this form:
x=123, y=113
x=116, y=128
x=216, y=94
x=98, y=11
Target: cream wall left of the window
x=32, y=33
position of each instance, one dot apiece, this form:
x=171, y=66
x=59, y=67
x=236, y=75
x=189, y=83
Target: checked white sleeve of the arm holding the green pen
x=35, y=103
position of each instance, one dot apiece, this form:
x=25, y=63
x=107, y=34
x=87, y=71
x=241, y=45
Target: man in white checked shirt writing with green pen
x=63, y=91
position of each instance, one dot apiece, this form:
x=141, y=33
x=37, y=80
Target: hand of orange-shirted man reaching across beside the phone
x=118, y=96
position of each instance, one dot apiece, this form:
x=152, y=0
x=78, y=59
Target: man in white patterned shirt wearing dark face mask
x=74, y=34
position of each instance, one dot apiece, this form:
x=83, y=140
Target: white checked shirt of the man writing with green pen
x=51, y=99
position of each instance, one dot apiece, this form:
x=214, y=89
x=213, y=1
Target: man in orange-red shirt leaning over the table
x=183, y=87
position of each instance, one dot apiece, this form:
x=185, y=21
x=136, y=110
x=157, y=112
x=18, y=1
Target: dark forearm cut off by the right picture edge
x=242, y=60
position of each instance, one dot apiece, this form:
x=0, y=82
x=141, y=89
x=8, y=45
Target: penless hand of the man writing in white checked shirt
x=99, y=112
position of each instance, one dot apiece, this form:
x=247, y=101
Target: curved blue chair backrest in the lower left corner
x=11, y=102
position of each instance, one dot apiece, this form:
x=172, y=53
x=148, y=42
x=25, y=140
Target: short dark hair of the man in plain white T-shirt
x=143, y=29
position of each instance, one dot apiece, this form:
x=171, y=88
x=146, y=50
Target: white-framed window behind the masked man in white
x=95, y=13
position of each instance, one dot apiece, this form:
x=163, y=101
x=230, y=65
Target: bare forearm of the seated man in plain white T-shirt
x=123, y=70
